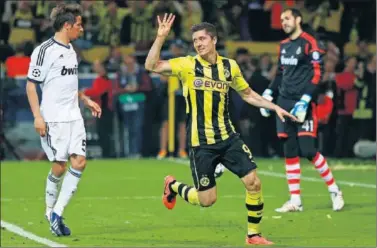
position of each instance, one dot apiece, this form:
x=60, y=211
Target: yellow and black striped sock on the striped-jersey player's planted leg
x=254, y=205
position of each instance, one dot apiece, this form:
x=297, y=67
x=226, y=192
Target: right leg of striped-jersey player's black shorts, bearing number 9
x=238, y=158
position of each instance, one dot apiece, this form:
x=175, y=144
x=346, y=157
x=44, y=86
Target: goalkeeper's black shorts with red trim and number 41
x=289, y=128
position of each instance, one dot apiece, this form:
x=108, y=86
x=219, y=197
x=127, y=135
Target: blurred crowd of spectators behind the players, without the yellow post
x=138, y=100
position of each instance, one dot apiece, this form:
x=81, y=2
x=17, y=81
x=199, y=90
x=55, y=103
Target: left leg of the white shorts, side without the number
x=56, y=141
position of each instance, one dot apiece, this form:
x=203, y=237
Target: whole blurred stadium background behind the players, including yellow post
x=118, y=35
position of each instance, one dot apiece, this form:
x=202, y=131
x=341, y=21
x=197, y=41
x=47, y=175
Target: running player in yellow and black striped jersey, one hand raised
x=206, y=79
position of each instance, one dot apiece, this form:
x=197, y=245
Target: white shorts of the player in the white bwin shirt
x=63, y=139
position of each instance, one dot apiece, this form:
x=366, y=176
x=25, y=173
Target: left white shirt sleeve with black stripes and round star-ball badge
x=39, y=65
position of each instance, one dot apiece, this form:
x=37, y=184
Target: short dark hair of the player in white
x=64, y=13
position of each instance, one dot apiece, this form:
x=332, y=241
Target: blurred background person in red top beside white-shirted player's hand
x=102, y=93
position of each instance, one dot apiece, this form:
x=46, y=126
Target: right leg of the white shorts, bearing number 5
x=77, y=144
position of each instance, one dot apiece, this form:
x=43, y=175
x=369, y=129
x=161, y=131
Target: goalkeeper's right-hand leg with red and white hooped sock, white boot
x=309, y=150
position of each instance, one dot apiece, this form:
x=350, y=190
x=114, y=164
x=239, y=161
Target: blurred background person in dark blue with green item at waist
x=132, y=82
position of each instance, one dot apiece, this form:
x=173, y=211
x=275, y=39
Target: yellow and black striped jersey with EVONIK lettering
x=205, y=87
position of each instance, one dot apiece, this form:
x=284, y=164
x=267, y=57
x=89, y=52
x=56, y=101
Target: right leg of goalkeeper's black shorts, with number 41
x=310, y=126
